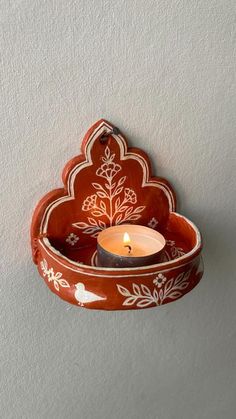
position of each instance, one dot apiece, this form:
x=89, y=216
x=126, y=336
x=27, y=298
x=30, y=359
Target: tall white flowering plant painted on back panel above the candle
x=112, y=200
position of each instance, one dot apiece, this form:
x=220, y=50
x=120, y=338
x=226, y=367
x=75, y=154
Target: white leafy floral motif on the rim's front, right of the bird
x=142, y=296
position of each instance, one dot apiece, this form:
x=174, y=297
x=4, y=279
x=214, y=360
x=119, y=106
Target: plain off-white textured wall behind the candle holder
x=164, y=73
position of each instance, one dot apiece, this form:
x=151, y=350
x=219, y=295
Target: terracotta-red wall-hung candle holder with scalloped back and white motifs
x=111, y=184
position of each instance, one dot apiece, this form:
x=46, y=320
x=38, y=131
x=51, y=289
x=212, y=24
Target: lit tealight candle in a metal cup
x=129, y=245
